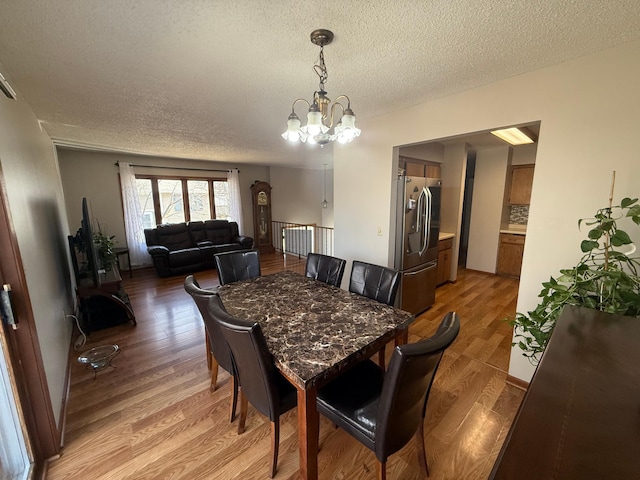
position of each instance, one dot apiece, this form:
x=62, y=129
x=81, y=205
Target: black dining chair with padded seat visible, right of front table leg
x=384, y=410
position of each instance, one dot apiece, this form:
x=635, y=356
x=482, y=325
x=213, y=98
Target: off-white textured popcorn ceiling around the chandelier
x=215, y=80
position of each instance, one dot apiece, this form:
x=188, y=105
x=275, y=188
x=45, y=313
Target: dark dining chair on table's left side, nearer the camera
x=261, y=383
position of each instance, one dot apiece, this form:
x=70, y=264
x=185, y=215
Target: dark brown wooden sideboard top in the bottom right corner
x=580, y=417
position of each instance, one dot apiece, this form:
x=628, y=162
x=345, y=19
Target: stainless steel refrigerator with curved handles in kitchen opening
x=417, y=229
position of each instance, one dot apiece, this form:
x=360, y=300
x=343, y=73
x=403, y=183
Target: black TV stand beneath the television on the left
x=106, y=304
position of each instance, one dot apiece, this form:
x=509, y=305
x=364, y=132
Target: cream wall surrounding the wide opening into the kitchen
x=588, y=108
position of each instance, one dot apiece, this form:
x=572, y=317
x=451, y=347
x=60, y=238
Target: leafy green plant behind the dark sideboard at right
x=605, y=278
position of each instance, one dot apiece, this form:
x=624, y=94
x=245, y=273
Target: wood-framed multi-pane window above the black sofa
x=180, y=199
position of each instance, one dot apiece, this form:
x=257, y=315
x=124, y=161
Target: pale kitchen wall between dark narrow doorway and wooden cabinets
x=486, y=208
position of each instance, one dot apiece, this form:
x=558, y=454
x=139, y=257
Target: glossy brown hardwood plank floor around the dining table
x=154, y=416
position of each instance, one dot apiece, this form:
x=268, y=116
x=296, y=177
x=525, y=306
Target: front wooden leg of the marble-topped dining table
x=308, y=433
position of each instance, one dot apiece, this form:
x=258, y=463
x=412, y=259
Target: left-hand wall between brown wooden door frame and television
x=36, y=207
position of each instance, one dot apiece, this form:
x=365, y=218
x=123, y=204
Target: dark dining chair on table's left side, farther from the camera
x=218, y=353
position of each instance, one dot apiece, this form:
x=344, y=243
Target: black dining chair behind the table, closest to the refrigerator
x=376, y=282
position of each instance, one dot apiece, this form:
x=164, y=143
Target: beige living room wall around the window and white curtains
x=94, y=175
